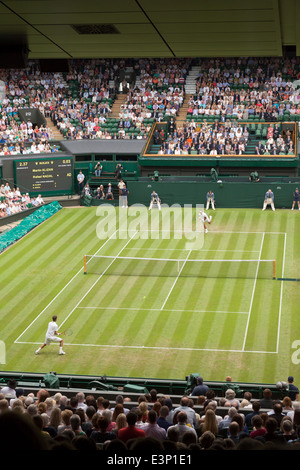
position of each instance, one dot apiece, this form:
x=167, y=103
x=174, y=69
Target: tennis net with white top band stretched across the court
x=157, y=267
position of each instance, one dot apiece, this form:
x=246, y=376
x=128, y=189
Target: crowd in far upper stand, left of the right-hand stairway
x=79, y=102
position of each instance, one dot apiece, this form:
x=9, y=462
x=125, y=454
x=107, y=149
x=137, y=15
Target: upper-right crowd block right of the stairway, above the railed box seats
x=247, y=87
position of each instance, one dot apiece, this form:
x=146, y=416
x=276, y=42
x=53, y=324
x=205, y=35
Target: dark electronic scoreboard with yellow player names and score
x=44, y=175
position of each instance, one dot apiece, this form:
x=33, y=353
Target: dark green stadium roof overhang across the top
x=64, y=29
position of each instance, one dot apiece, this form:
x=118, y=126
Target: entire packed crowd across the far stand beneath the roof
x=79, y=102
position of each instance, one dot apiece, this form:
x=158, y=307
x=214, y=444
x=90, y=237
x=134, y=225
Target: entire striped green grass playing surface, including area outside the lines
x=155, y=323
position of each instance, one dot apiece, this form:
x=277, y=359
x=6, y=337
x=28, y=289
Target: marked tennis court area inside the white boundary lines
x=133, y=278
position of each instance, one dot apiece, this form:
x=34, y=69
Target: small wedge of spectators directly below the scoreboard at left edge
x=12, y=201
